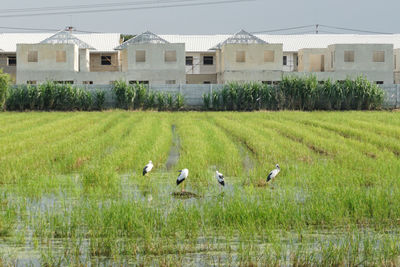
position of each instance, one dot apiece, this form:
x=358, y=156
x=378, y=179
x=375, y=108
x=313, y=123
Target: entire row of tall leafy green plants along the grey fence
x=293, y=93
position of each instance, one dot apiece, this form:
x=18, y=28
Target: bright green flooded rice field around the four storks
x=72, y=190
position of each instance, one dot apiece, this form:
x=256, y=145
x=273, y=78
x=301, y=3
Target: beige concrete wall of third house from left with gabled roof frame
x=254, y=67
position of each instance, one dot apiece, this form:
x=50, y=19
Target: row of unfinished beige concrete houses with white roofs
x=66, y=57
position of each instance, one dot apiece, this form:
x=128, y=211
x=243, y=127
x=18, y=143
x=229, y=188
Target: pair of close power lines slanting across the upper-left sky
x=123, y=9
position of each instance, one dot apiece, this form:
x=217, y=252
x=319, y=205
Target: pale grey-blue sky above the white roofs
x=372, y=15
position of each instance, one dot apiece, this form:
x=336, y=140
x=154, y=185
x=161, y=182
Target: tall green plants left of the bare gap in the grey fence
x=65, y=97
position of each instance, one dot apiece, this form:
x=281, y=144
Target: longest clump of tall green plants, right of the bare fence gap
x=297, y=93
